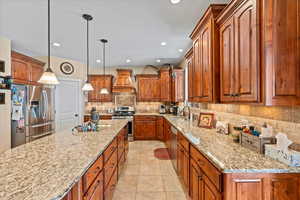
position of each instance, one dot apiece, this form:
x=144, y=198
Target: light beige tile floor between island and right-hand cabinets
x=144, y=177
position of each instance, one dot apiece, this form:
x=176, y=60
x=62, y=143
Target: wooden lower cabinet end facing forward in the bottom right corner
x=262, y=186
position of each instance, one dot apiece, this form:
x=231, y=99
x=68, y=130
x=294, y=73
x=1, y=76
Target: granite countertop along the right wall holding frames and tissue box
x=227, y=156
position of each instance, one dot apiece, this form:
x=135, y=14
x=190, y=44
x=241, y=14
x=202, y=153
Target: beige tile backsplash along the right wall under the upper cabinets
x=282, y=119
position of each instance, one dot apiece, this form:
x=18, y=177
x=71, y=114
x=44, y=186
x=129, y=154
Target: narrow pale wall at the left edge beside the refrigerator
x=5, y=110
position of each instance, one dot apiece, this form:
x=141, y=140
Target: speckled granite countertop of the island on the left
x=48, y=168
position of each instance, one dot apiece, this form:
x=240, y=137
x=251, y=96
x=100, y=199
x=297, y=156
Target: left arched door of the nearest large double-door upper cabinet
x=227, y=61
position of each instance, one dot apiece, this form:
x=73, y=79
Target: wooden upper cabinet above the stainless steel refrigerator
x=26, y=70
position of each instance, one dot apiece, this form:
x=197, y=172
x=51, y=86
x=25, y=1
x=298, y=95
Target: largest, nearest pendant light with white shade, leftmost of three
x=48, y=77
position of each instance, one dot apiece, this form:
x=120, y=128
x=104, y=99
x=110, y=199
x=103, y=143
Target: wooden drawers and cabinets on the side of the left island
x=99, y=182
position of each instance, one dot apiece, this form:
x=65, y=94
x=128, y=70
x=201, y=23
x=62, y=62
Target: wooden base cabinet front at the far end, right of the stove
x=145, y=130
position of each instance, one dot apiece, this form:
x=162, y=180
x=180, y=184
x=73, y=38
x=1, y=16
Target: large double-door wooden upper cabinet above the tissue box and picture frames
x=239, y=52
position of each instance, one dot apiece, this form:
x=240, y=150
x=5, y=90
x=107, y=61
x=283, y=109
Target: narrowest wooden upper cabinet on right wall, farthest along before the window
x=190, y=68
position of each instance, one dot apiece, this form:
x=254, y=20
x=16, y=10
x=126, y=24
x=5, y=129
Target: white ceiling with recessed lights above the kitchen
x=134, y=28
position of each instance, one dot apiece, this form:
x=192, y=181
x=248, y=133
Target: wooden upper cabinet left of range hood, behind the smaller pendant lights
x=98, y=82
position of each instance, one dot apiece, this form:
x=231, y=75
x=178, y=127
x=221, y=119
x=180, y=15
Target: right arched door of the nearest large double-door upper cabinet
x=246, y=52
